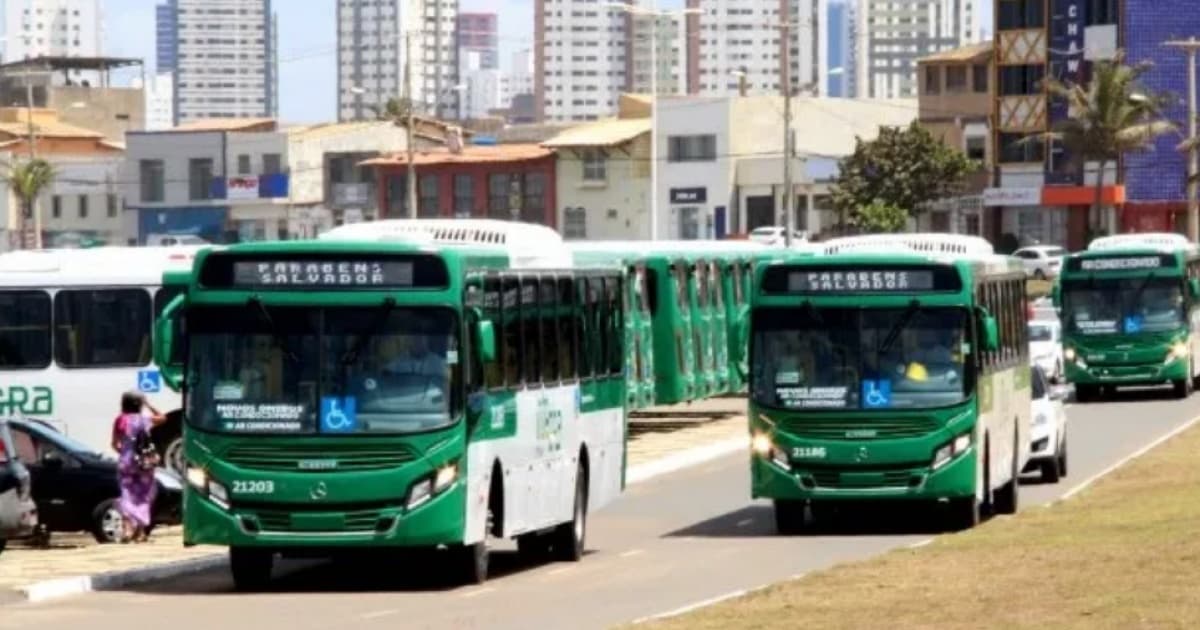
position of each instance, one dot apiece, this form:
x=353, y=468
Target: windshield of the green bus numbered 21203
x=309, y=370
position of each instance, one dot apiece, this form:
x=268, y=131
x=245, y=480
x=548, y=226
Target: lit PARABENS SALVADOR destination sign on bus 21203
x=321, y=274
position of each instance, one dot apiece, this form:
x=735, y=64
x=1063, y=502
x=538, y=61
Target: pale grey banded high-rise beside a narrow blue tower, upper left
x=226, y=61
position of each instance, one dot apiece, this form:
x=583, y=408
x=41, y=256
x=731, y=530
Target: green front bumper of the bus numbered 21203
x=440, y=521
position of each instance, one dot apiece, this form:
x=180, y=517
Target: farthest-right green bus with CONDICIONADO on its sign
x=1131, y=314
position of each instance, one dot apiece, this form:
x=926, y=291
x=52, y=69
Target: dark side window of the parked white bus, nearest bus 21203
x=103, y=328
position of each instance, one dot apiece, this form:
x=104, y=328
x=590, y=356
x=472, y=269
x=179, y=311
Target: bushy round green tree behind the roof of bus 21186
x=903, y=169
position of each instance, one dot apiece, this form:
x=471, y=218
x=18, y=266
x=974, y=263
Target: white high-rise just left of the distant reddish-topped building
x=371, y=56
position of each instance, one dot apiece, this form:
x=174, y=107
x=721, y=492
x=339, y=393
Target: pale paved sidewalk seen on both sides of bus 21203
x=76, y=563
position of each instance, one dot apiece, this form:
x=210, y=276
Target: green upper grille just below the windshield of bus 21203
x=325, y=459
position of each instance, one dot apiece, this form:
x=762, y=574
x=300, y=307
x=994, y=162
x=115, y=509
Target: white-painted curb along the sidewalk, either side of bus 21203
x=67, y=587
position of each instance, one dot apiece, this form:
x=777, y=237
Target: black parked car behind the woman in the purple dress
x=76, y=488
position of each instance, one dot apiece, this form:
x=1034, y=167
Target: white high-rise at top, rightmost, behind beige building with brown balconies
x=891, y=37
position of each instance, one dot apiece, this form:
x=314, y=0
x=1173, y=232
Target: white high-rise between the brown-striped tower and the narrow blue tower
x=745, y=37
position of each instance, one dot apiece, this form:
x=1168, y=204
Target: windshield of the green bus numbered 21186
x=814, y=359
